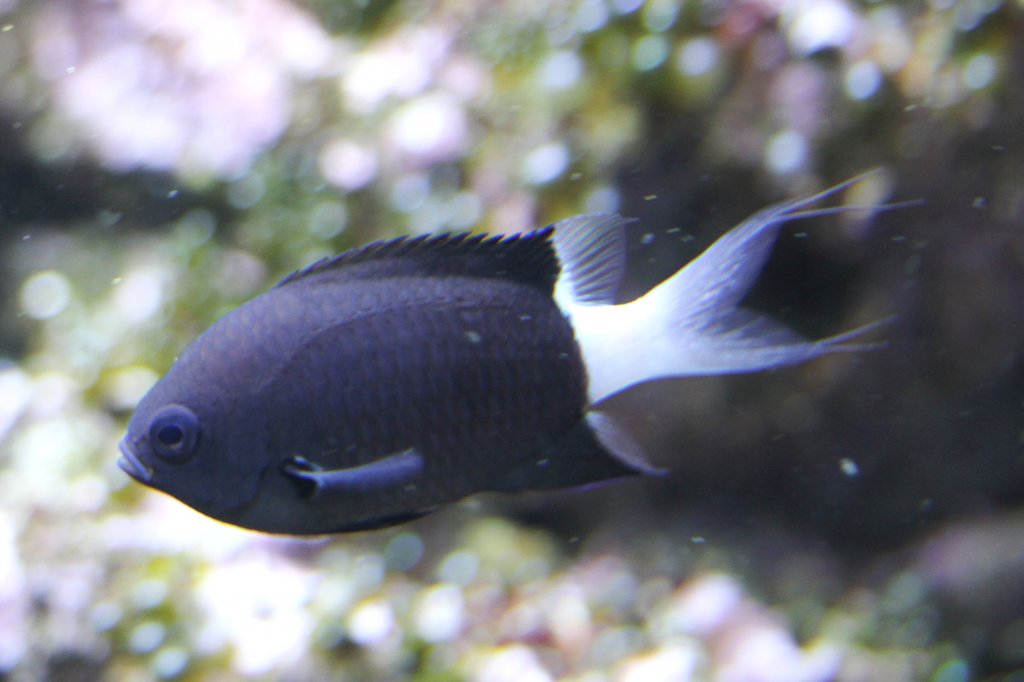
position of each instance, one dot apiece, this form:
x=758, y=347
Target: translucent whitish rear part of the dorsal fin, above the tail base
x=592, y=252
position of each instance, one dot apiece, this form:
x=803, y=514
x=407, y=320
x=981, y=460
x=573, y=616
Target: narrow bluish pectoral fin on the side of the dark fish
x=313, y=481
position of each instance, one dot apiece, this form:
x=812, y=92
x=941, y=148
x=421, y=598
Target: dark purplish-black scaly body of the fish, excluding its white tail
x=477, y=372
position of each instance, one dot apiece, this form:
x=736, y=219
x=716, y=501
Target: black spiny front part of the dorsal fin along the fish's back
x=529, y=259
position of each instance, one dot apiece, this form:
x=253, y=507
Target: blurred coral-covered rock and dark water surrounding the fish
x=861, y=518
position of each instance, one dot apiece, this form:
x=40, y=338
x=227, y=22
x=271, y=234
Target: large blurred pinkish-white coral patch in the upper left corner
x=201, y=87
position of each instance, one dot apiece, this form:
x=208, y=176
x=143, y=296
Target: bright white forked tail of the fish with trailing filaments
x=692, y=324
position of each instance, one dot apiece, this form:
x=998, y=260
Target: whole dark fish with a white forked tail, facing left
x=374, y=388
